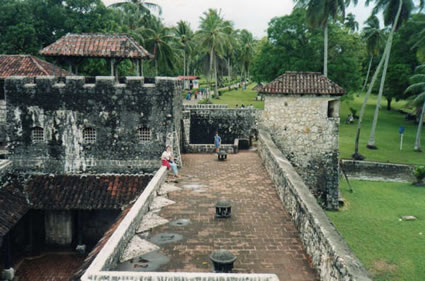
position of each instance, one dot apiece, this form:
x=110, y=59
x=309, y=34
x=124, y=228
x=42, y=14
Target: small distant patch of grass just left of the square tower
x=239, y=97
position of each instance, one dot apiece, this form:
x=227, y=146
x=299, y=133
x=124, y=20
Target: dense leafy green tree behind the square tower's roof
x=292, y=46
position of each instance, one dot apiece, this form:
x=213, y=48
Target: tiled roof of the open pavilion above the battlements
x=96, y=45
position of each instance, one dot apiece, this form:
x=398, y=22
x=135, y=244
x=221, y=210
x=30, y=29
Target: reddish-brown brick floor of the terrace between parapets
x=260, y=232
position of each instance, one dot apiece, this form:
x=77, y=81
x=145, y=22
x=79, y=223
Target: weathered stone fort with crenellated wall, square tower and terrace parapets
x=108, y=134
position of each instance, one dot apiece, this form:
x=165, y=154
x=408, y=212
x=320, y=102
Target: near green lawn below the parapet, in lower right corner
x=370, y=223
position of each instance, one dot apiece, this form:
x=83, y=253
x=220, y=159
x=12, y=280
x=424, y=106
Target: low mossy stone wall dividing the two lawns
x=368, y=170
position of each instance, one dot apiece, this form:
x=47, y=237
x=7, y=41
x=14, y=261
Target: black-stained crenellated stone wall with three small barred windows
x=115, y=111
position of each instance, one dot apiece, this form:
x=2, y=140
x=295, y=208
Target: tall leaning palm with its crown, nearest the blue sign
x=395, y=13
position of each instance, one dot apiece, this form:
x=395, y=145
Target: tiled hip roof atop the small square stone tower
x=303, y=83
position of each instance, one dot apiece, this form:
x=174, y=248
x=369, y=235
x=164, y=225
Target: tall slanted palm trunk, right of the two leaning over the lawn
x=371, y=143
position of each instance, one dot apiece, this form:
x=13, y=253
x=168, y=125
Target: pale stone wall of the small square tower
x=305, y=128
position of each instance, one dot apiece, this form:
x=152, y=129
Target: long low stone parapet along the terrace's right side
x=328, y=251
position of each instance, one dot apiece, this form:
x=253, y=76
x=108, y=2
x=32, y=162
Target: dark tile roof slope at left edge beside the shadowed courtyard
x=13, y=207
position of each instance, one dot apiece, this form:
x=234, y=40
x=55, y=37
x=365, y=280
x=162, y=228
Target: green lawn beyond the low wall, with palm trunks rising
x=387, y=135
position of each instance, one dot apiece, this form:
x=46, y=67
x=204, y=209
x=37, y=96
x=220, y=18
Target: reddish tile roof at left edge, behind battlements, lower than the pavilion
x=26, y=65
